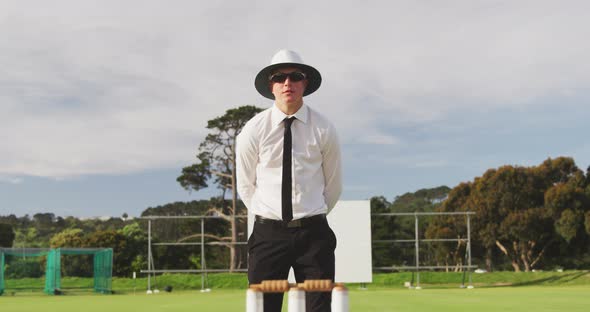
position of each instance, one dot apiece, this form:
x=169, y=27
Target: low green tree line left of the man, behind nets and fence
x=127, y=236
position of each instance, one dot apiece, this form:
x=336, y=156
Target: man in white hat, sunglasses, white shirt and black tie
x=289, y=176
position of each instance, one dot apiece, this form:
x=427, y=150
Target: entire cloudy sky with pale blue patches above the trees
x=102, y=103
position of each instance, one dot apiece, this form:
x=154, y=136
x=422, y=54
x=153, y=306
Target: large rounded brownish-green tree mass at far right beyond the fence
x=523, y=211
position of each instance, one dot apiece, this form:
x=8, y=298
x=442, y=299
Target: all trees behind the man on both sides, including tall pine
x=526, y=218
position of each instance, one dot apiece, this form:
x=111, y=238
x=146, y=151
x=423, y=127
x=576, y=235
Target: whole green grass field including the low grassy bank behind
x=503, y=291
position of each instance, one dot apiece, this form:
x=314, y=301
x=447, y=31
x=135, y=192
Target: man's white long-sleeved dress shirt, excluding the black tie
x=316, y=164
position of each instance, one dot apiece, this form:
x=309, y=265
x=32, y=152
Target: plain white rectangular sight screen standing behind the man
x=351, y=222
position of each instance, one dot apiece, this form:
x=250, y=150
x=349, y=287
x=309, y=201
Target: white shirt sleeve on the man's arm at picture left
x=246, y=161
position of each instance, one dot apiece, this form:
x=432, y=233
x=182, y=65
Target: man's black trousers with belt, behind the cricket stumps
x=309, y=250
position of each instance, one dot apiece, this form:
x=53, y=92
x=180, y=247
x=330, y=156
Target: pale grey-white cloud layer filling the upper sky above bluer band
x=112, y=87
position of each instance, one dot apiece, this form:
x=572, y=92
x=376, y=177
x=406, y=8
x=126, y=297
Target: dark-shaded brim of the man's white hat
x=314, y=79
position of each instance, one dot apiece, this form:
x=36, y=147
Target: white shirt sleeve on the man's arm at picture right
x=332, y=168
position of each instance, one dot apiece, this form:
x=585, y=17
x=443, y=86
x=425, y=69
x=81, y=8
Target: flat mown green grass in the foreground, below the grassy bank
x=536, y=298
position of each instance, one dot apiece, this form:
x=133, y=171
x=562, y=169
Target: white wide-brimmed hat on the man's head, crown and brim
x=287, y=58
